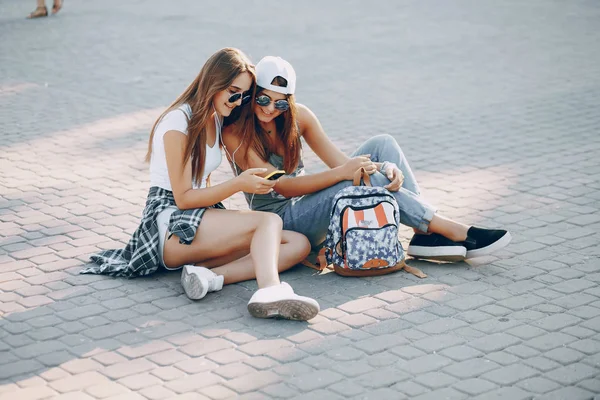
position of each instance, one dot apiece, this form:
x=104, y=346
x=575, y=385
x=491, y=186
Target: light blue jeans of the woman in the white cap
x=310, y=214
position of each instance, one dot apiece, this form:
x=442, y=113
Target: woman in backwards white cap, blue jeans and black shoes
x=270, y=138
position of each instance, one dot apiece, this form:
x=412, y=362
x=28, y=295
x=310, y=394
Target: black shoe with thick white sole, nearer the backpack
x=436, y=247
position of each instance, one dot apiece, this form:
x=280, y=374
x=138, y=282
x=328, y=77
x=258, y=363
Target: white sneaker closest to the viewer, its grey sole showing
x=280, y=301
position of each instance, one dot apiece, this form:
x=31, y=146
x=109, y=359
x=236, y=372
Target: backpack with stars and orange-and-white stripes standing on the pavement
x=362, y=239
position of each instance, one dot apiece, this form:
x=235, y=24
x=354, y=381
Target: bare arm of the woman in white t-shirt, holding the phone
x=181, y=178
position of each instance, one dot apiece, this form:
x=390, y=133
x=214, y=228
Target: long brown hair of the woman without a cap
x=217, y=74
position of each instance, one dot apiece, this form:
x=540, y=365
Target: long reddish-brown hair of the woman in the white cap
x=287, y=132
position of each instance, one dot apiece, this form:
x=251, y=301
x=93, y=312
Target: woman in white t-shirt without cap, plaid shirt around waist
x=184, y=224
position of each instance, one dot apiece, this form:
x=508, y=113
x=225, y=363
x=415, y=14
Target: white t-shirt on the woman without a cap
x=177, y=120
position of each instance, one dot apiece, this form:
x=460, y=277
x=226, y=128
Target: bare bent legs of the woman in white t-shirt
x=224, y=233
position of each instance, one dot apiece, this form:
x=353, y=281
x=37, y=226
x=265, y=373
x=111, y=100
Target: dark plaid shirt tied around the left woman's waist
x=141, y=257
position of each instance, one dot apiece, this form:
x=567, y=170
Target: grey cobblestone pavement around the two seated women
x=496, y=104
